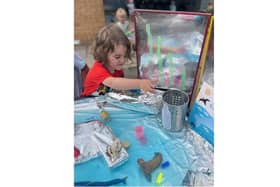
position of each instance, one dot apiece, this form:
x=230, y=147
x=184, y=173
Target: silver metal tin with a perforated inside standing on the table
x=174, y=109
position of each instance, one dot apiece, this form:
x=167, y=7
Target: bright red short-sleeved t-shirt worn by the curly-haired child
x=97, y=74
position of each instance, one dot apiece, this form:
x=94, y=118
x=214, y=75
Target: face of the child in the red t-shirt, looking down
x=117, y=58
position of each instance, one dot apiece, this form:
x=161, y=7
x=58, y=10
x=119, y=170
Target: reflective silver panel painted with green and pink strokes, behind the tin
x=169, y=46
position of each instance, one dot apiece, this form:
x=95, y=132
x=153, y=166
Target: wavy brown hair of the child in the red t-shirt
x=106, y=40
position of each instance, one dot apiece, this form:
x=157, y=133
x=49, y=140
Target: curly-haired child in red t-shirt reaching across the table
x=111, y=49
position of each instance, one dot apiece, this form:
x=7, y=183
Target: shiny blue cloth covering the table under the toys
x=185, y=150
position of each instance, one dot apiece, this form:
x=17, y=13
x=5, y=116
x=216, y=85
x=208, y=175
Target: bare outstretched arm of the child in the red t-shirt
x=126, y=84
